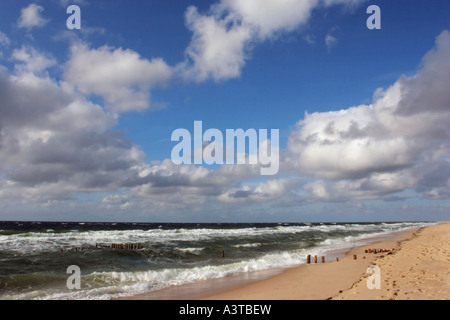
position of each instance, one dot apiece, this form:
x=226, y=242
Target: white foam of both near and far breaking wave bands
x=104, y=285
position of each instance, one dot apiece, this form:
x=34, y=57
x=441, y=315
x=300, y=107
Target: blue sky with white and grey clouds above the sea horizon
x=87, y=115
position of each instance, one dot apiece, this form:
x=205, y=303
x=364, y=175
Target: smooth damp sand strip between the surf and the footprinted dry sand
x=322, y=280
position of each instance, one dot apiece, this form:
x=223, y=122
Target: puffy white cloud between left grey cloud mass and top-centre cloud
x=121, y=77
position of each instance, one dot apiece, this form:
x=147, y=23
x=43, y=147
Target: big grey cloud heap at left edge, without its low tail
x=53, y=142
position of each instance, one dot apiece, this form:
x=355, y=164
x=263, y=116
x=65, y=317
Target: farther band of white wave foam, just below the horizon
x=34, y=242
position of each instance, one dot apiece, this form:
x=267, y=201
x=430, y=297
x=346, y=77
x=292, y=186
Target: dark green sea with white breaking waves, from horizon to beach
x=34, y=256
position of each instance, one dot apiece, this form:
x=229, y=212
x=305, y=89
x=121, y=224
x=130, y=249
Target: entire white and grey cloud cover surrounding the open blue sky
x=56, y=143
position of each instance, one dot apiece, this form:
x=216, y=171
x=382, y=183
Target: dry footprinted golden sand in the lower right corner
x=420, y=270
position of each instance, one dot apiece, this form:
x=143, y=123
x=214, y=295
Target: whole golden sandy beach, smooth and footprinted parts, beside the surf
x=417, y=269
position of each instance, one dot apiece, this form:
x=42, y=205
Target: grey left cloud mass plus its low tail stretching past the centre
x=56, y=144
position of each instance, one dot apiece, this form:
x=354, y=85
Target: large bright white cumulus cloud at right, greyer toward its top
x=398, y=142
